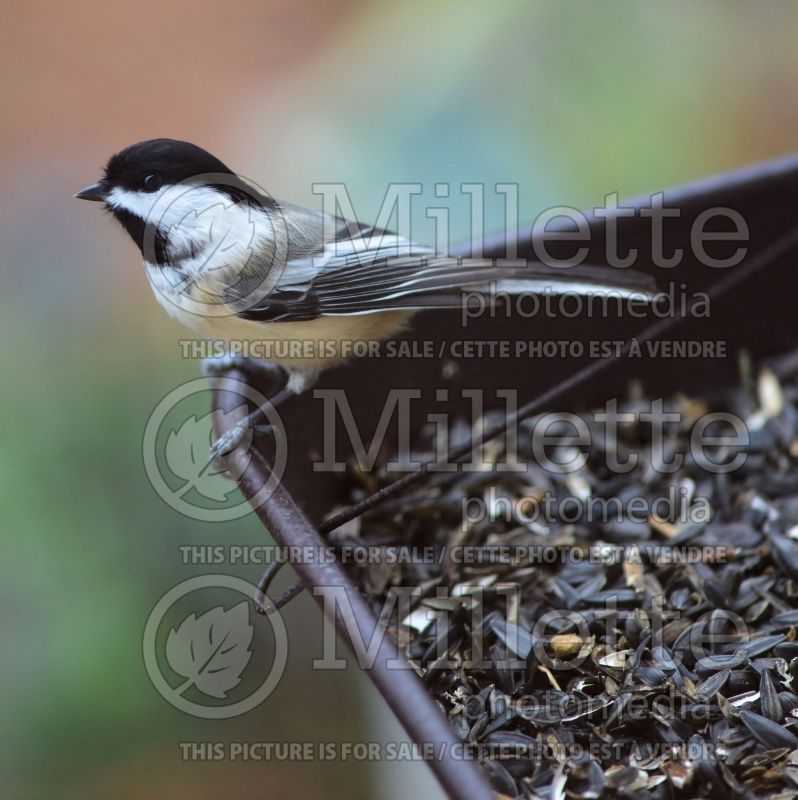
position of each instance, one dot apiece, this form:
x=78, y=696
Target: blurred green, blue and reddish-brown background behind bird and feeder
x=571, y=101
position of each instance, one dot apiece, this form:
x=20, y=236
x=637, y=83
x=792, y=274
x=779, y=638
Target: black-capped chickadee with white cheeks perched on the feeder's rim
x=232, y=263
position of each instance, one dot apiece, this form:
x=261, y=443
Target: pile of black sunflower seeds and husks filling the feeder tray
x=588, y=657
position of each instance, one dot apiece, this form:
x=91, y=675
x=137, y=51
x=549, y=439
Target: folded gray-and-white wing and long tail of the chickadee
x=361, y=270
